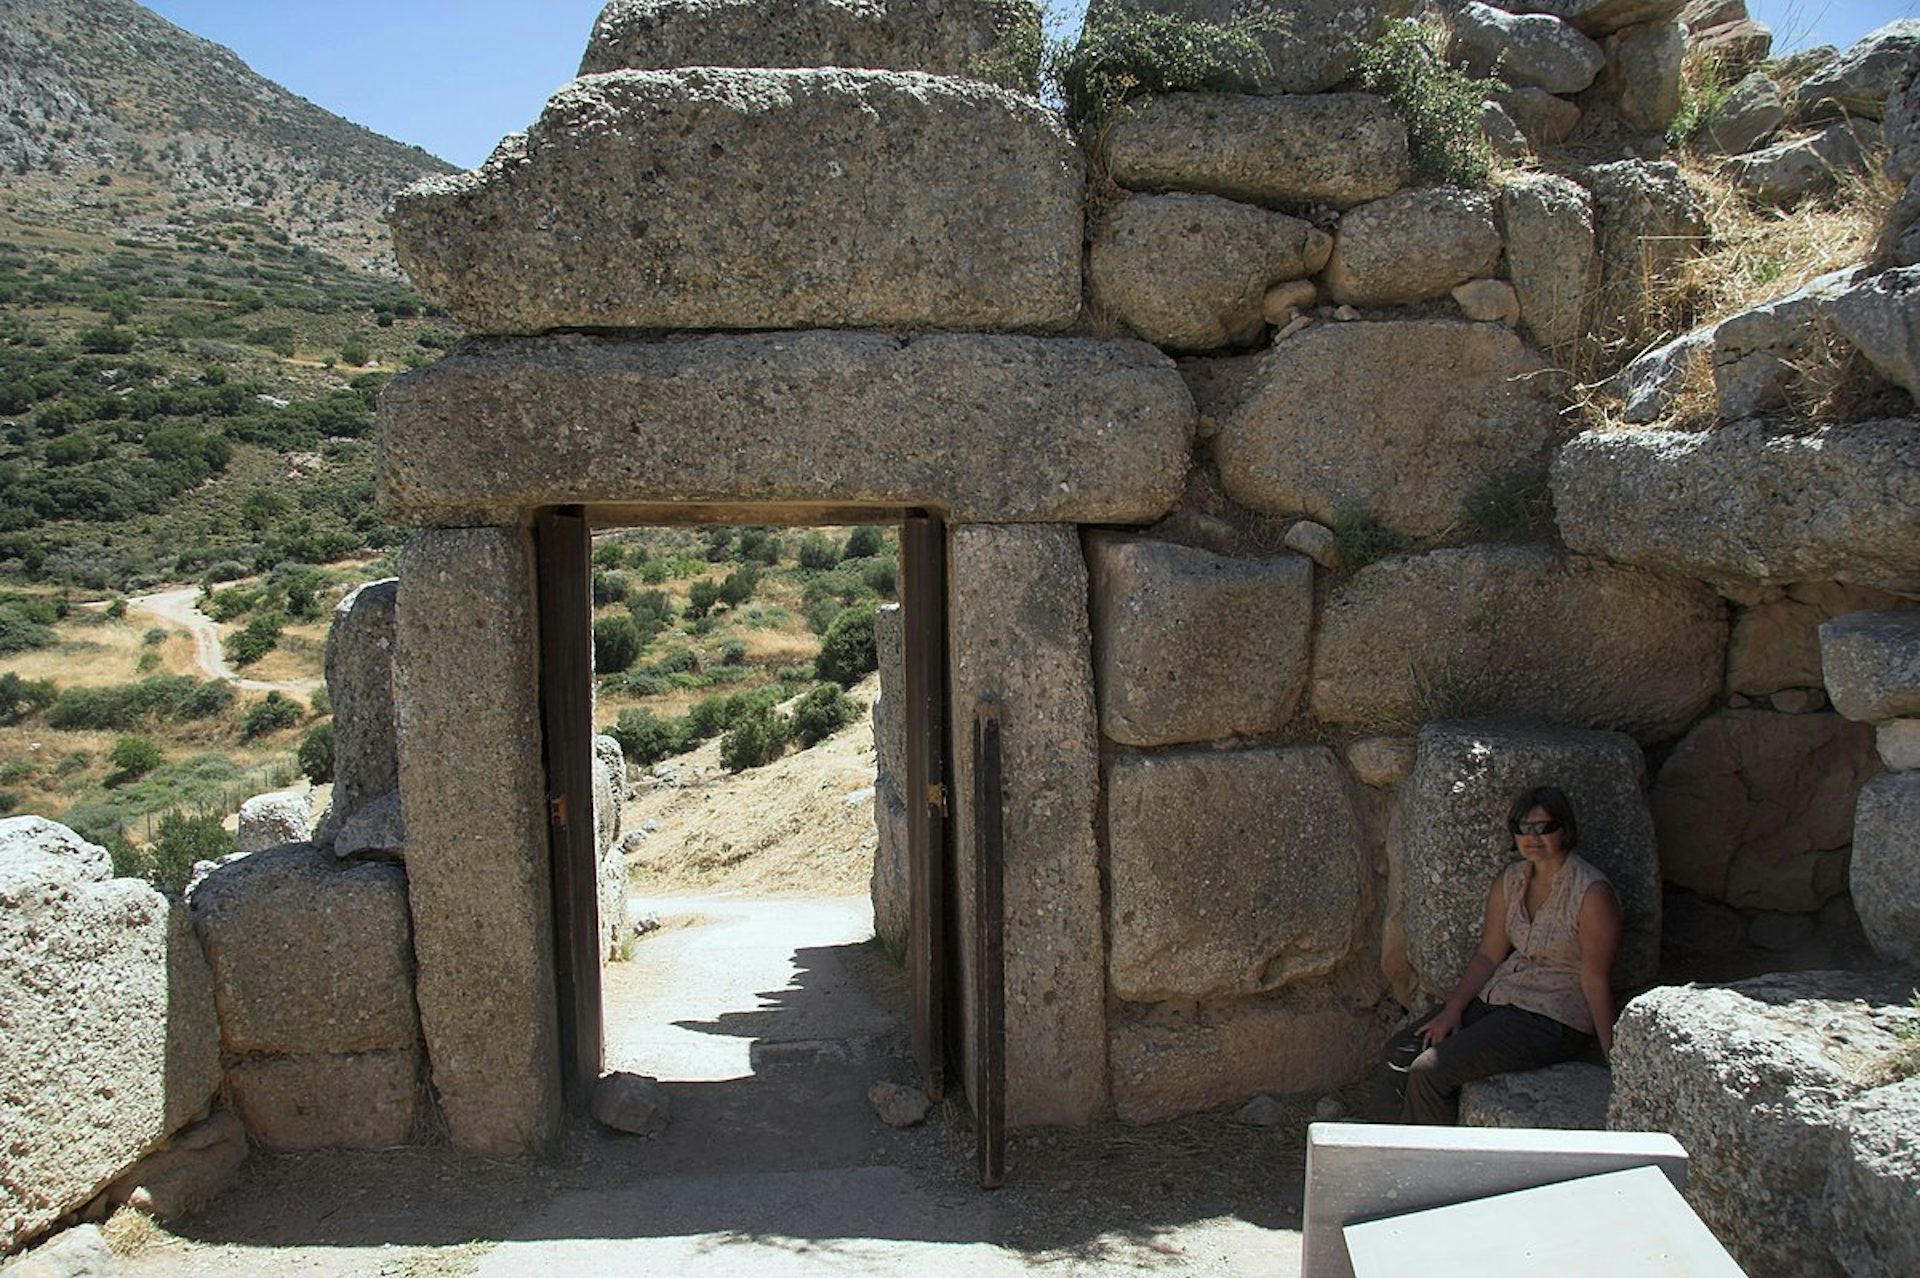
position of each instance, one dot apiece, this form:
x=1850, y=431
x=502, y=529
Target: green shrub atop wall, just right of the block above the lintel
x=1128, y=53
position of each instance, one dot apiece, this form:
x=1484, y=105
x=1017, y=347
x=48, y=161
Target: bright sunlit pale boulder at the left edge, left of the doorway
x=107, y=1012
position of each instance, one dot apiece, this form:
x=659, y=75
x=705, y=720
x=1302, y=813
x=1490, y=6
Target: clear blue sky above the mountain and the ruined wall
x=458, y=76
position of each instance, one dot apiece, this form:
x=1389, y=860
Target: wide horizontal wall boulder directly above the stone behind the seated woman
x=1514, y=630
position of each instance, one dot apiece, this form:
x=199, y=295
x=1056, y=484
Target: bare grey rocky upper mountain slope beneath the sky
x=112, y=118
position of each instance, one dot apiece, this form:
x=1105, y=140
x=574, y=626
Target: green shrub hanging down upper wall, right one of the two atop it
x=1439, y=105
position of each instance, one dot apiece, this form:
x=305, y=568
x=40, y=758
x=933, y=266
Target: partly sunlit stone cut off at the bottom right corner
x=1877, y=1187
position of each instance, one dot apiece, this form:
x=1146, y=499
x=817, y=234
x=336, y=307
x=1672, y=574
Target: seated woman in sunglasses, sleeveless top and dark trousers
x=1539, y=987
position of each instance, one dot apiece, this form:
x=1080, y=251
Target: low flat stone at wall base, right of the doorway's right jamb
x=1178, y=1058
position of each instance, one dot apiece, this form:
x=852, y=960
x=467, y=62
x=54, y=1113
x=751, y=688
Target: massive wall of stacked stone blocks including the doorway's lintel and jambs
x=1270, y=532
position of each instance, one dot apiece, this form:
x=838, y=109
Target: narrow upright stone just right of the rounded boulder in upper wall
x=1552, y=256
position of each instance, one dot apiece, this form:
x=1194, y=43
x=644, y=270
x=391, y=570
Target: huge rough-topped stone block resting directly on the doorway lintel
x=744, y=199
